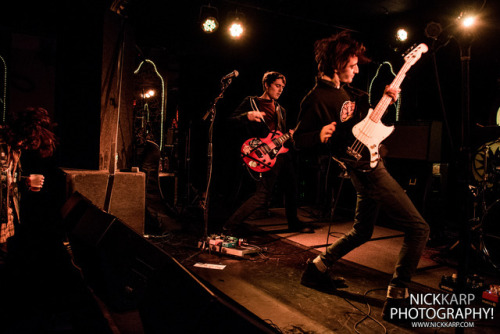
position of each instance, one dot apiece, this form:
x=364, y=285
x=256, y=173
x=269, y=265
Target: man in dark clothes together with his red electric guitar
x=263, y=120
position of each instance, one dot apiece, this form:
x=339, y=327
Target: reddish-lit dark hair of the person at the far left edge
x=32, y=129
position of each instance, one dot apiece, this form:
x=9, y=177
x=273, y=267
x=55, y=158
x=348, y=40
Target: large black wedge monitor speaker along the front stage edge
x=128, y=272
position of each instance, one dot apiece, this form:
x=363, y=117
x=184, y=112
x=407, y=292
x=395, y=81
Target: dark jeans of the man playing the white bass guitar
x=378, y=189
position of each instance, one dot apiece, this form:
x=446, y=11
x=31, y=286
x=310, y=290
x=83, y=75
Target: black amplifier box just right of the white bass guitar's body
x=415, y=140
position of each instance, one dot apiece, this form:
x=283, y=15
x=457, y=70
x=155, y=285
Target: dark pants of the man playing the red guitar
x=282, y=172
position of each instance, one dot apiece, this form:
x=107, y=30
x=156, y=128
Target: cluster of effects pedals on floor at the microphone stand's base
x=228, y=245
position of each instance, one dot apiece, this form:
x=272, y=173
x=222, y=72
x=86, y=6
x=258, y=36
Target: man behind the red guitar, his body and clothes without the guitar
x=257, y=117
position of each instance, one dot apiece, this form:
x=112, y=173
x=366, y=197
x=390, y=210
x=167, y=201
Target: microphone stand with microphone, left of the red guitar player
x=211, y=114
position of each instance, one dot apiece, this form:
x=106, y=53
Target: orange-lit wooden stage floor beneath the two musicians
x=268, y=283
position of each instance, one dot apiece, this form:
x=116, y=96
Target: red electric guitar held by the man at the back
x=260, y=154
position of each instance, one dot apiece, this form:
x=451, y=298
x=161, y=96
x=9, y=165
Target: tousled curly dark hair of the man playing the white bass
x=333, y=53
